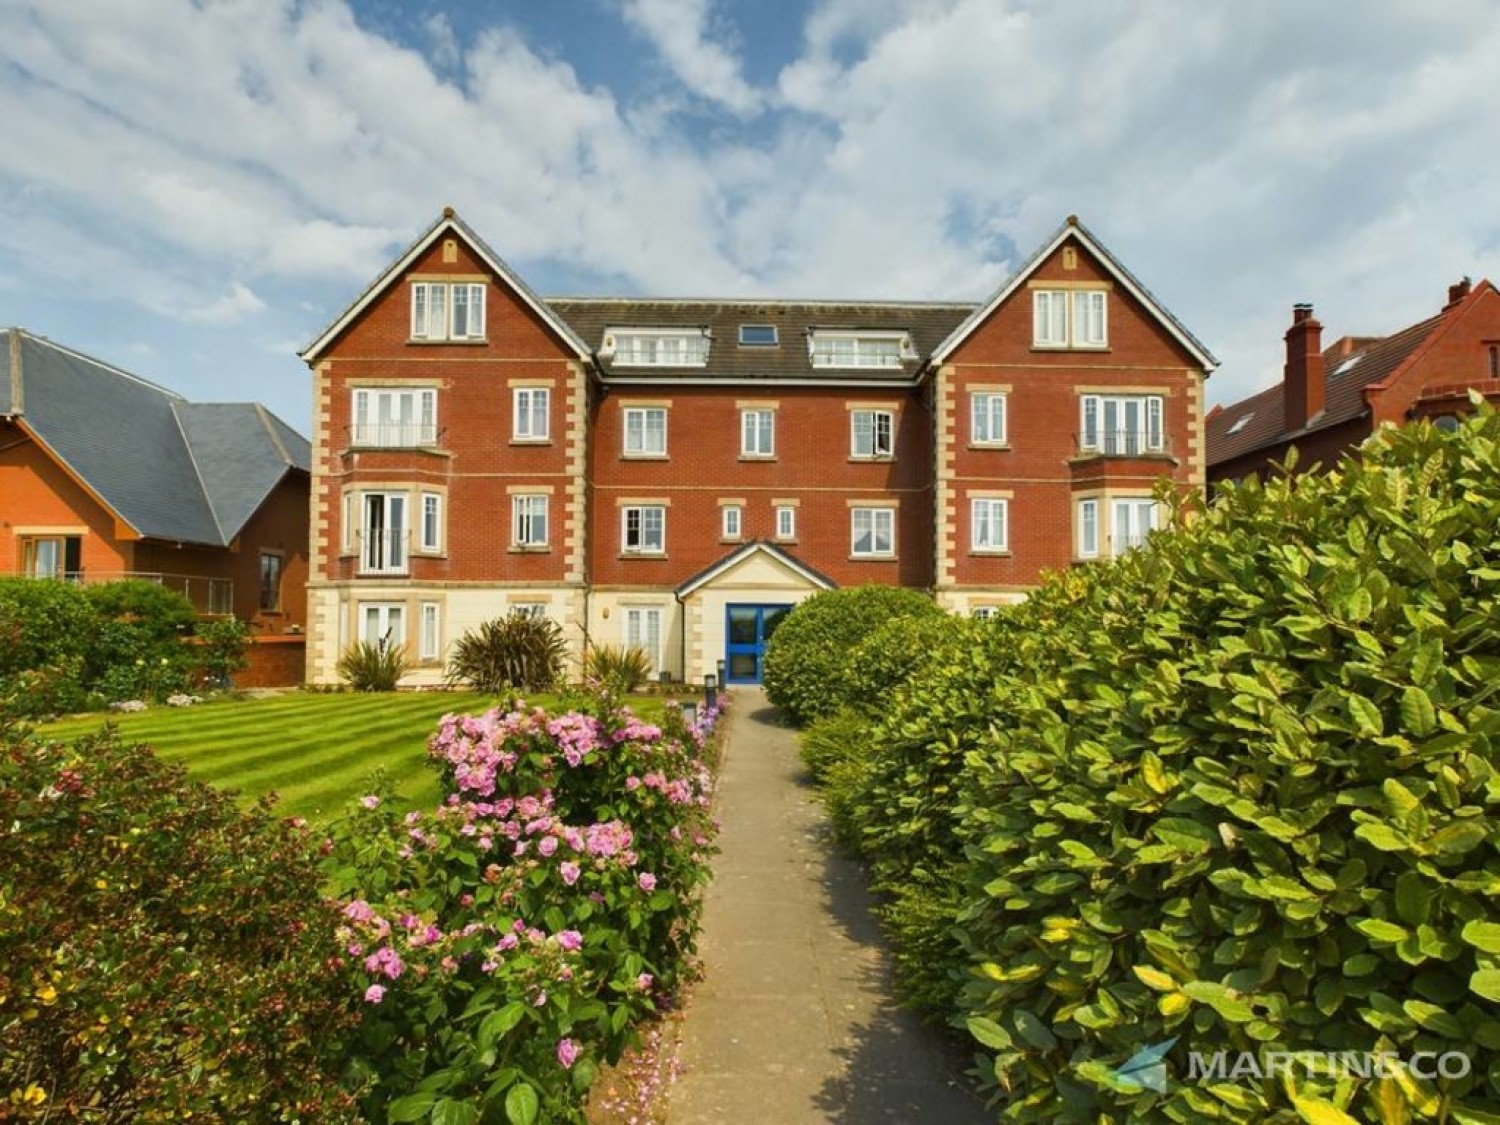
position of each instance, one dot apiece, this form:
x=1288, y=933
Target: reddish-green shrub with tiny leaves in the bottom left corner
x=163, y=955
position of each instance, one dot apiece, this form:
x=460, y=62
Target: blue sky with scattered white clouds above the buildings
x=196, y=191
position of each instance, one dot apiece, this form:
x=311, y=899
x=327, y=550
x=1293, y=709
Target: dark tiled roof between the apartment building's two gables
x=929, y=323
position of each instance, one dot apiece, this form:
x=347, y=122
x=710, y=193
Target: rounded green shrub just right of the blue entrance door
x=808, y=658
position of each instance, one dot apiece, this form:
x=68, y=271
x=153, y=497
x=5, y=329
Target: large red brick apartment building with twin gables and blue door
x=679, y=473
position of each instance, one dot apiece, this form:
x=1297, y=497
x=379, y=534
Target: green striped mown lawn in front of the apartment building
x=314, y=751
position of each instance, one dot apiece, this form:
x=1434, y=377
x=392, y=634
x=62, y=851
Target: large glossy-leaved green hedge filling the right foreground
x=1235, y=791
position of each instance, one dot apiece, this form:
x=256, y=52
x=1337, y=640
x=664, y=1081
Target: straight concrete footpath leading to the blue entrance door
x=796, y=1021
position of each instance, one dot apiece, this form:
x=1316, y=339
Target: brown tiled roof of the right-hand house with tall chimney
x=1345, y=385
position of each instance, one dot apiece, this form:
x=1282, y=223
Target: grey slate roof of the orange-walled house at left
x=170, y=469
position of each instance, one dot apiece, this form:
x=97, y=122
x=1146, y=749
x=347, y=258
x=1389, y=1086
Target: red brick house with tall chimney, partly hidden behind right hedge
x=1331, y=400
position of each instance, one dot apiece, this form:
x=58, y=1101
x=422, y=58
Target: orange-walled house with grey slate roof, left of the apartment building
x=107, y=476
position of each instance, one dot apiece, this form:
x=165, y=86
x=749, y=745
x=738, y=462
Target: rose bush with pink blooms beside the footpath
x=511, y=940
